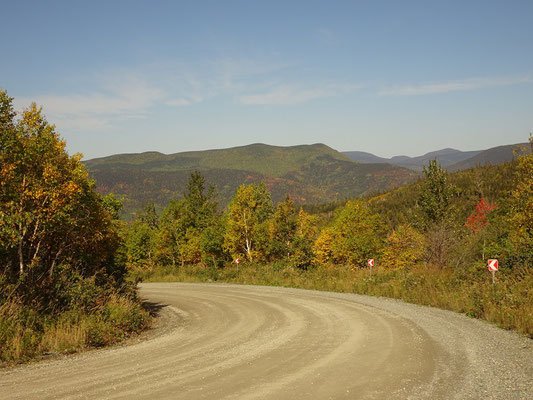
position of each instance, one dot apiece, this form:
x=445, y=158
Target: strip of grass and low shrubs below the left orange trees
x=27, y=334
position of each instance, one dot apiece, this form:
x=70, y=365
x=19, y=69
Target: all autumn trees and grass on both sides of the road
x=69, y=265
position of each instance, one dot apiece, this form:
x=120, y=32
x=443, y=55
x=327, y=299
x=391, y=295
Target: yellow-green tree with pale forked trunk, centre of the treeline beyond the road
x=248, y=215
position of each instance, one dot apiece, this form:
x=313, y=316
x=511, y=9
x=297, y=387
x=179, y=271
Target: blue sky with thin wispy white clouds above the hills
x=387, y=77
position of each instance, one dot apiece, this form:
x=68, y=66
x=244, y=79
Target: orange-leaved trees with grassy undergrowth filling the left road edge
x=59, y=243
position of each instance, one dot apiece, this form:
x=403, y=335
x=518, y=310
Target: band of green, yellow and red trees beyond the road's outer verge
x=442, y=221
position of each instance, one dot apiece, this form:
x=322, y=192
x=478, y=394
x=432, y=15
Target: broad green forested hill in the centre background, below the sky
x=309, y=173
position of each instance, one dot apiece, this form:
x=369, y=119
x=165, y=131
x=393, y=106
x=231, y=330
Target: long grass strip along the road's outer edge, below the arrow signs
x=508, y=304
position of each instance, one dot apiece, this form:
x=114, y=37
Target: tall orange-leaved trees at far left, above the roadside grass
x=51, y=218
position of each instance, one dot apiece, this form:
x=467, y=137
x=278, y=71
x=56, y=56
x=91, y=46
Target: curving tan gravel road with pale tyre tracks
x=242, y=342
